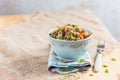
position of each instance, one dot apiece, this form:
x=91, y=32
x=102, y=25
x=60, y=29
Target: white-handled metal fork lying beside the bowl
x=98, y=61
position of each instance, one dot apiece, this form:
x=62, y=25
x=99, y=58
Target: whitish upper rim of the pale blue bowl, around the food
x=68, y=40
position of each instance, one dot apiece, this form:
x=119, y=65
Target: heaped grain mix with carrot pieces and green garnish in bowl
x=70, y=32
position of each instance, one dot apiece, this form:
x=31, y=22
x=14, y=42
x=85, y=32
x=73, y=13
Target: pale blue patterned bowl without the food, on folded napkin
x=70, y=50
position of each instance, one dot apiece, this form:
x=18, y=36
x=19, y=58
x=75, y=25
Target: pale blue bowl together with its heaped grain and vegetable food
x=70, y=42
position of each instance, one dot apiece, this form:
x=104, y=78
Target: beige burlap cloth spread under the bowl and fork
x=24, y=48
